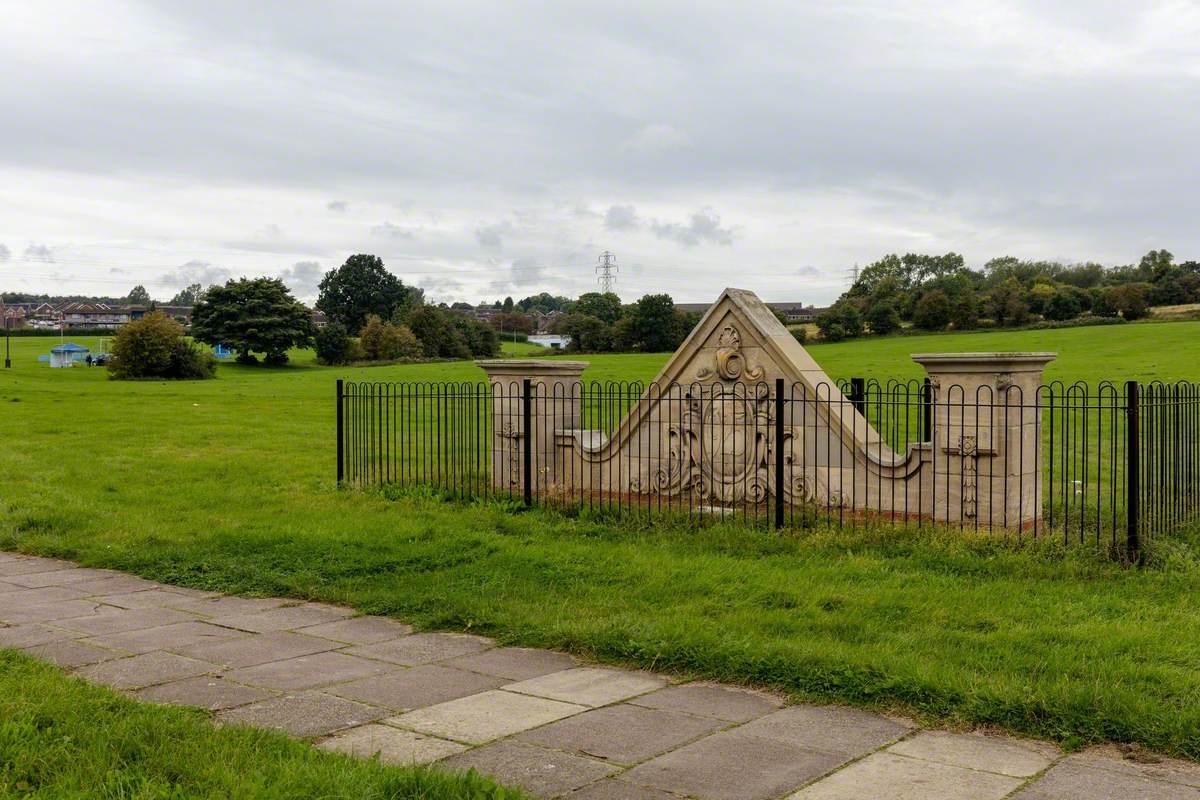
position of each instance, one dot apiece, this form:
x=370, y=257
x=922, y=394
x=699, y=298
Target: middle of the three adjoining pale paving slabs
x=485, y=717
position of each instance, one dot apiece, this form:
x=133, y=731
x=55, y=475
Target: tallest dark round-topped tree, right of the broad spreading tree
x=359, y=288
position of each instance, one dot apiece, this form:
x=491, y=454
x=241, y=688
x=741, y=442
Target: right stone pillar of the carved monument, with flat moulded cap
x=987, y=438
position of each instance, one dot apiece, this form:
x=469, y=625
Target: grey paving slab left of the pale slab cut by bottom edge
x=727, y=767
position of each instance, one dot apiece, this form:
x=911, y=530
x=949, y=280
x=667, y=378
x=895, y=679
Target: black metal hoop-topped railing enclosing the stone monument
x=1106, y=464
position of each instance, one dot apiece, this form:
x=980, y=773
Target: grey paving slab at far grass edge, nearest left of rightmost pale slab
x=830, y=729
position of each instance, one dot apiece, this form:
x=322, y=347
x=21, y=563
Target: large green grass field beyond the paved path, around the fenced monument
x=230, y=485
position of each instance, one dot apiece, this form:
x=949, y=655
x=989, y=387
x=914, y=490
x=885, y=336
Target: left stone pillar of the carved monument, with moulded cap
x=556, y=389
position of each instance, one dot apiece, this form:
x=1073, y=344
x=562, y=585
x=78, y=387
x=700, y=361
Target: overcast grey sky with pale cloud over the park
x=485, y=151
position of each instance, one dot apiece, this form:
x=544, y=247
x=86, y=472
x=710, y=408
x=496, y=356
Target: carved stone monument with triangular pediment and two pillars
x=709, y=431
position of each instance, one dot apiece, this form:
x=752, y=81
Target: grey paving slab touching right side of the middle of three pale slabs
x=622, y=735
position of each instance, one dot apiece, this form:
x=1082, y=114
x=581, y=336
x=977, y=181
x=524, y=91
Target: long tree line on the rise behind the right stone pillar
x=935, y=293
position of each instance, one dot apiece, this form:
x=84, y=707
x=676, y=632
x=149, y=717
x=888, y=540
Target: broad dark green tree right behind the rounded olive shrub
x=254, y=316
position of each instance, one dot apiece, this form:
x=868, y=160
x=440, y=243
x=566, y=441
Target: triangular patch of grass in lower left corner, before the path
x=62, y=738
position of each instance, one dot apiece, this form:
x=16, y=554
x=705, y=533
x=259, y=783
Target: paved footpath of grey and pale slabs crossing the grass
x=531, y=718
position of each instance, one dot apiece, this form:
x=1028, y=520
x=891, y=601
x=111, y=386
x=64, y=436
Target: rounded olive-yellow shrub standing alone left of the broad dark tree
x=155, y=347
